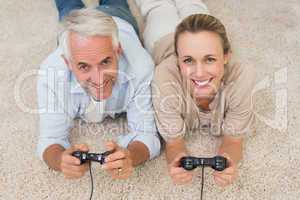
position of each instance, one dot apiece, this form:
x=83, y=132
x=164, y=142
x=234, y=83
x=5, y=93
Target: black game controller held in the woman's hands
x=218, y=163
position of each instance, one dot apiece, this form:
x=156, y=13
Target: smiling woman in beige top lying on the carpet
x=198, y=89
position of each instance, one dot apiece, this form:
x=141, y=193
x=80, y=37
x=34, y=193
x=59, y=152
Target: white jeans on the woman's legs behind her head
x=162, y=16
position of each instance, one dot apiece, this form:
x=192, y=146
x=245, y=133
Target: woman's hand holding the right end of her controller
x=228, y=176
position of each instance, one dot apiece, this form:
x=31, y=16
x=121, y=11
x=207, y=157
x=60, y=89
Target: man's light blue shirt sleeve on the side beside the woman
x=140, y=116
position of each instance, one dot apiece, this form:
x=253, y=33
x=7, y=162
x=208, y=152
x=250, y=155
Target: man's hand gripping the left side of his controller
x=70, y=166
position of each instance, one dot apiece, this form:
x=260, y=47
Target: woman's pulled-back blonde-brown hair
x=202, y=22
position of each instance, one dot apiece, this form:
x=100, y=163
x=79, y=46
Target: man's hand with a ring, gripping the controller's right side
x=119, y=163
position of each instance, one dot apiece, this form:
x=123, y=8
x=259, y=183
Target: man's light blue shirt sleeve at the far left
x=55, y=120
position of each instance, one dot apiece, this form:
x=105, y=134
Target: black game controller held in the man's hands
x=96, y=157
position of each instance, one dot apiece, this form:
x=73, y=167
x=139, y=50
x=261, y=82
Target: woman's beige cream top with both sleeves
x=231, y=111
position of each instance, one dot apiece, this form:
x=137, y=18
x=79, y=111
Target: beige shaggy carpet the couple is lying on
x=265, y=35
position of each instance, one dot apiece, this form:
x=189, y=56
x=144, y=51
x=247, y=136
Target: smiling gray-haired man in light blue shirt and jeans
x=99, y=69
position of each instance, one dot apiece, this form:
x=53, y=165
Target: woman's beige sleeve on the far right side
x=239, y=116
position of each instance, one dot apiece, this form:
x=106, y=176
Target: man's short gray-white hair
x=87, y=22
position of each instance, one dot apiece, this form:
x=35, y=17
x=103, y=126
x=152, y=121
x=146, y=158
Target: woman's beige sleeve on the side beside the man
x=168, y=102
